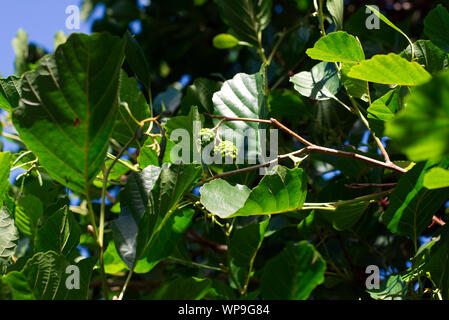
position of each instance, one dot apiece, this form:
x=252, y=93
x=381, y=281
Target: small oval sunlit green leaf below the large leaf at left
x=29, y=210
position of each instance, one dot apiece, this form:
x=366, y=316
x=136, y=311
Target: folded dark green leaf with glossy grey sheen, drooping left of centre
x=148, y=204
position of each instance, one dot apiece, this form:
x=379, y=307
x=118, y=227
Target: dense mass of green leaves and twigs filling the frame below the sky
x=100, y=190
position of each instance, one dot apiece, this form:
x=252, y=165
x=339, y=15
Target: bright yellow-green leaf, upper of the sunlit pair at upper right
x=337, y=47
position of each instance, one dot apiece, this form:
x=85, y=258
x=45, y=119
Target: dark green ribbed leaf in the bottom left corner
x=44, y=278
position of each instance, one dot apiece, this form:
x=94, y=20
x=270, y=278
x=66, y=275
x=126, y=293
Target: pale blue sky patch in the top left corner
x=40, y=19
